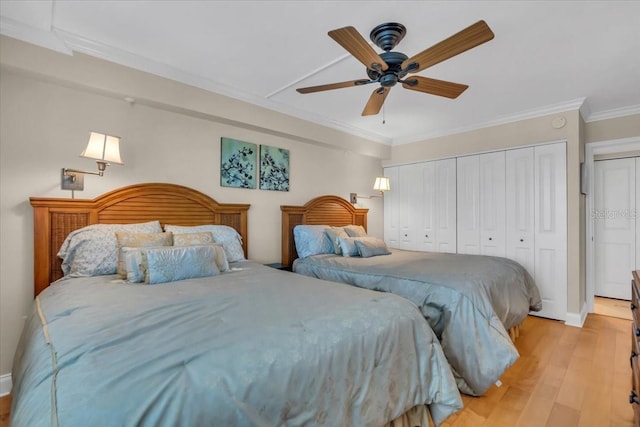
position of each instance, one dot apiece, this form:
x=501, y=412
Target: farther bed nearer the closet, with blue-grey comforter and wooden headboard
x=470, y=301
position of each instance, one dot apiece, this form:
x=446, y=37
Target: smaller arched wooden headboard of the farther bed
x=323, y=210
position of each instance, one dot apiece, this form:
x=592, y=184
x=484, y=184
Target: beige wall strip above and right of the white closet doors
x=523, y=132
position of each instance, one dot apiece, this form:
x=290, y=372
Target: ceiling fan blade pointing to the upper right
x=462, y=41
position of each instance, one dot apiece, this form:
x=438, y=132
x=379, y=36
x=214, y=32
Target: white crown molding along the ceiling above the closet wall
x=574, y=104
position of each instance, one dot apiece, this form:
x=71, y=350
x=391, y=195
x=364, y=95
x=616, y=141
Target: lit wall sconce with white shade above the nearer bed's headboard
x=105, y=149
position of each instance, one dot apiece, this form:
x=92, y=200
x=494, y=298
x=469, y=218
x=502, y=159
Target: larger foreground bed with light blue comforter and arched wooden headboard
x=247, y=346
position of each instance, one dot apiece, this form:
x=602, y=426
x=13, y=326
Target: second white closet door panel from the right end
x=520, y=207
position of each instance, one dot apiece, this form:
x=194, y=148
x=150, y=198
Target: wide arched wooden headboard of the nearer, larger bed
x=173, y=204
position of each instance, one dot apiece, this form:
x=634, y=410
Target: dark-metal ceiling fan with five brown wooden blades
x=390, y=68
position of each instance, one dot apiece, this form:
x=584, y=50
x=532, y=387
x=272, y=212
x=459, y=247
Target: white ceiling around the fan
x=547, y=56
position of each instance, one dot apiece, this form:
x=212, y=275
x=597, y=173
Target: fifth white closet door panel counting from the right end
x=445, y=205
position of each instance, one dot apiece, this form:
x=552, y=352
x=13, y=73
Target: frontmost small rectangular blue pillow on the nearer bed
x=170, y=263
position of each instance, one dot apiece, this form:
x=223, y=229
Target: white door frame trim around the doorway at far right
x=591, y=149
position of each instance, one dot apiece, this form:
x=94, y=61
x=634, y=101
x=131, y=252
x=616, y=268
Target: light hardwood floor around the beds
x=565, y=377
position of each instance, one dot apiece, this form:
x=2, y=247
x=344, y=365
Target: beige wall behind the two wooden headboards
x=48, y=104
